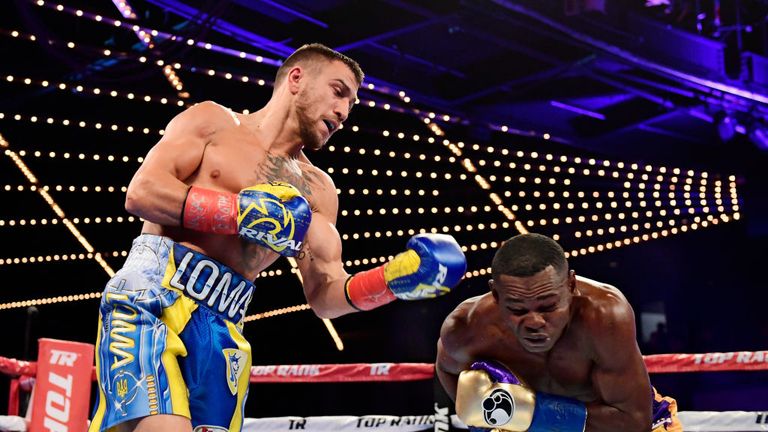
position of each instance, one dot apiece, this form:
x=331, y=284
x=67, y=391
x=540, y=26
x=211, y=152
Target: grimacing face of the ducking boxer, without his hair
x=536, y=308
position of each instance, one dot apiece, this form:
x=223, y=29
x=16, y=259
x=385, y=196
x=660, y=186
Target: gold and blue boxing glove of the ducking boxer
x=491, y=396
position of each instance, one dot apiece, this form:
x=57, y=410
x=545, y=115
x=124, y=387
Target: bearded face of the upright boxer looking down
x=326, y=96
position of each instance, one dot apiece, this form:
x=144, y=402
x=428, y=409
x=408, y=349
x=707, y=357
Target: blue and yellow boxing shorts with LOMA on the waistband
x=170, y=339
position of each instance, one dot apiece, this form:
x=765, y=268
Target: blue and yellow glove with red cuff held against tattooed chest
x=273, y=215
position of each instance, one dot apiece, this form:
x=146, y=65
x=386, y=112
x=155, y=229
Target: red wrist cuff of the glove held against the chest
x=209, y=211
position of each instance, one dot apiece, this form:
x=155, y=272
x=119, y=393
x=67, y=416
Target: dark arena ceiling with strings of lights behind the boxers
x=475, y=116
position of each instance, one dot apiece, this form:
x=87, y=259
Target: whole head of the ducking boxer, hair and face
x=533, y=289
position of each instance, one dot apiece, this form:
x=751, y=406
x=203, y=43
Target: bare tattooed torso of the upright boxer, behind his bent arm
x=234, y=158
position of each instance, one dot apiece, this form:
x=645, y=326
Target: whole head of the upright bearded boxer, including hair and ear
x=323, y=86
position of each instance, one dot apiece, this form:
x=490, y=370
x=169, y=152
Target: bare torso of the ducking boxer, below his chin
x=564, y=370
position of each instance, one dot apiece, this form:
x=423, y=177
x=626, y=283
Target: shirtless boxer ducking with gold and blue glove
x=546, y=350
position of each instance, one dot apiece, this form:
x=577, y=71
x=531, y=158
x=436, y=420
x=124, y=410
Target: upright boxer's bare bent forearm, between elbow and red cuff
x=158, y=199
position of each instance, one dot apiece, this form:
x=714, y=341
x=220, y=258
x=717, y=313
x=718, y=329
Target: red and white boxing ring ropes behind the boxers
x=22, y=379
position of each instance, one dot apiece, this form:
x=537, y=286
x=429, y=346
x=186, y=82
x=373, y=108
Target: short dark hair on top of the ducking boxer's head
x=525, y=255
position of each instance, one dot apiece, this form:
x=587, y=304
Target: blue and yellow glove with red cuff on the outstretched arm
x=431, y=267
